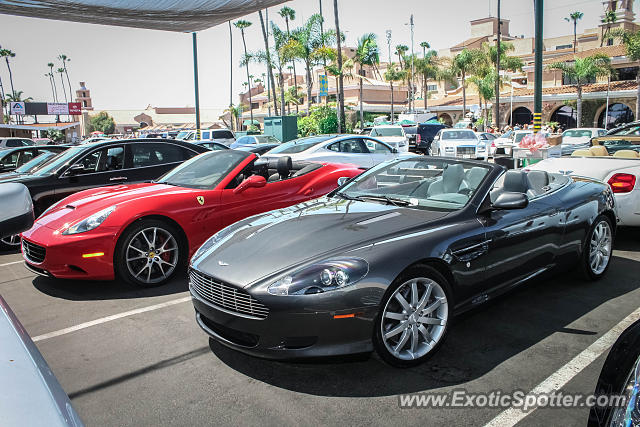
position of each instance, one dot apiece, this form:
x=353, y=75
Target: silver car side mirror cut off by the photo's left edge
x=16, y=214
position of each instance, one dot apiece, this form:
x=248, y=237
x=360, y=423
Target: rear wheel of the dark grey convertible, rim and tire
x=598, y=248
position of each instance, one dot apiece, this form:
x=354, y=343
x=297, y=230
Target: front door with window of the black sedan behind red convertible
x=97, y=168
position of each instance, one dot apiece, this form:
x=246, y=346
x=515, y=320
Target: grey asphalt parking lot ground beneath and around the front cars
x=133, y=356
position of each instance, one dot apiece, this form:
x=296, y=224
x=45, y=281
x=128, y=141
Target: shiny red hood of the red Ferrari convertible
x=85, y=203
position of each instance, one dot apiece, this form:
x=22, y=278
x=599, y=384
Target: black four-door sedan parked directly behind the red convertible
x=102, y=163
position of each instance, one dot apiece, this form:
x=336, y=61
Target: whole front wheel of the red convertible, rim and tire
x=149, y=253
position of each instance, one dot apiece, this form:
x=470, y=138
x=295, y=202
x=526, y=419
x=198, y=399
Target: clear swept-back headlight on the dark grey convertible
x=335, y=273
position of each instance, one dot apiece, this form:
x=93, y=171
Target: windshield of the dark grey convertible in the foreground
x=433, y=184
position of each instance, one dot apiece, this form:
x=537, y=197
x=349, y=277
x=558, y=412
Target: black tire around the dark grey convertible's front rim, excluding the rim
x=410, y=273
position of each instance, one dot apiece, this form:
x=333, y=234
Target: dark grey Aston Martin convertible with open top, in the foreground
x=387, y=259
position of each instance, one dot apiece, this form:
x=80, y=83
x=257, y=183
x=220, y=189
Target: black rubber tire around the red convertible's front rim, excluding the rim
x=120, y=264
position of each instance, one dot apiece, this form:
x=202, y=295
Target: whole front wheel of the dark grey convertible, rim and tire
x=414, y=317
